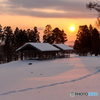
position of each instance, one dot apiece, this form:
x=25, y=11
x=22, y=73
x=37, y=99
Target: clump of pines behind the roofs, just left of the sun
x=54, y=36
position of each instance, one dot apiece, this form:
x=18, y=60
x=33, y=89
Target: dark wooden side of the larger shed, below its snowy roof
x=31, y=55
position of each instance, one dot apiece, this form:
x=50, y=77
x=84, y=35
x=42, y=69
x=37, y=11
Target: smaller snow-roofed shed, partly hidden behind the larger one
x=64, y=50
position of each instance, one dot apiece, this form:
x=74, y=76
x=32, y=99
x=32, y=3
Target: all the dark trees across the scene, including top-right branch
x=87, y=38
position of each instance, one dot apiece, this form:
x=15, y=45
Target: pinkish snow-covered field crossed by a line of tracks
x=50, y=79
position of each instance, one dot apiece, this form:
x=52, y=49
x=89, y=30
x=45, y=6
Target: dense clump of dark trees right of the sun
x=87, y=41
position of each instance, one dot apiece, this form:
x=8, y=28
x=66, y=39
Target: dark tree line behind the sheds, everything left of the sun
x=11, y=40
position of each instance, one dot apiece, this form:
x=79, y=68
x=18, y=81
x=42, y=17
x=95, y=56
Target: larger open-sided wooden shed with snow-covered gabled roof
x=37, y=51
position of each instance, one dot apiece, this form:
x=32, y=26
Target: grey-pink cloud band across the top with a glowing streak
x=46, y=8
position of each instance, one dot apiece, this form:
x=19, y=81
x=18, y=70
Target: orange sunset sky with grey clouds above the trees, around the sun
x=58, y=13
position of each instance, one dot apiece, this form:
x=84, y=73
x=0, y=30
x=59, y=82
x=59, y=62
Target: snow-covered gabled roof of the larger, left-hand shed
x=40, y=46
